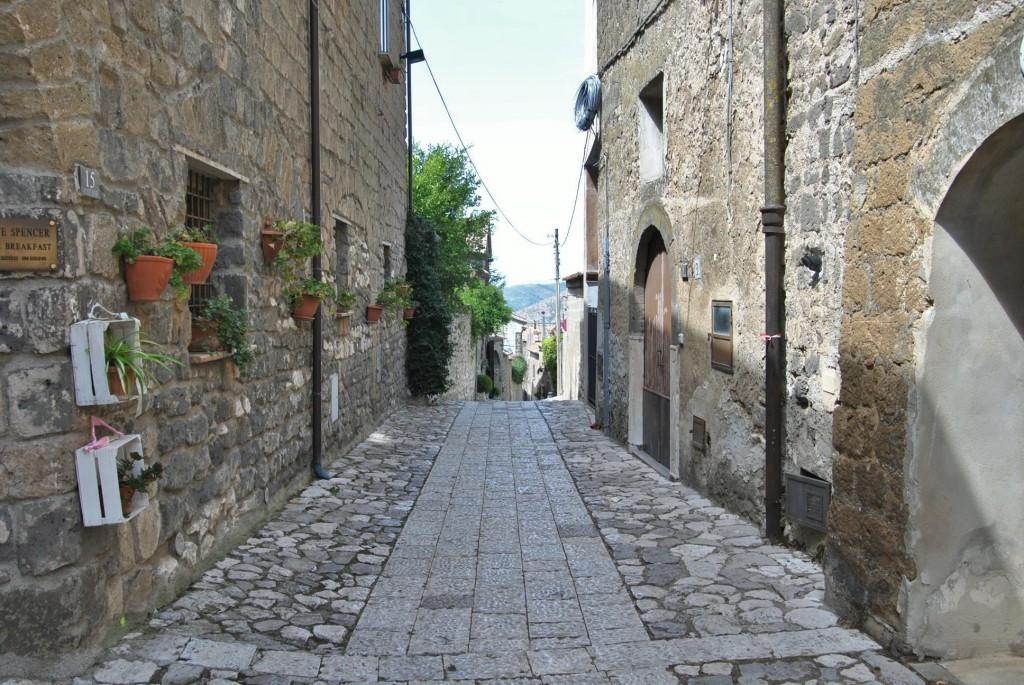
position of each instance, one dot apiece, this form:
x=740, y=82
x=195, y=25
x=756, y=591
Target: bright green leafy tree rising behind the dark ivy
x=445, y=194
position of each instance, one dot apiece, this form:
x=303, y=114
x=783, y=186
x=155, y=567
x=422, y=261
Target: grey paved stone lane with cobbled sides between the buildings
x=500, y=543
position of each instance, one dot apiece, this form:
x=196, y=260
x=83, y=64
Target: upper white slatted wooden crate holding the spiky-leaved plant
x=88, y=360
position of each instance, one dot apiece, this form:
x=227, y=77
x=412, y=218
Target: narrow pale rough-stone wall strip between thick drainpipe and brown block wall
x=819, y=188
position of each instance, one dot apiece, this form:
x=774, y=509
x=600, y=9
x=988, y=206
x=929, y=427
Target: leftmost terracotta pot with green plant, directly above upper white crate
x=151, y=267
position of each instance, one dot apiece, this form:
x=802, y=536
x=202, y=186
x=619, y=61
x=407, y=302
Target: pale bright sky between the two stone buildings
x=509, y=73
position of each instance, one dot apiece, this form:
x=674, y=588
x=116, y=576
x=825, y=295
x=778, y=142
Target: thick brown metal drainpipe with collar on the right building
x=775, y=230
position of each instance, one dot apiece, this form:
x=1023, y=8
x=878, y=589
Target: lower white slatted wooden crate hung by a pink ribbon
x=98, y=481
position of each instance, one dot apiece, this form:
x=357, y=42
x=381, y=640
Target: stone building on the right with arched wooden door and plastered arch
x=902, y=390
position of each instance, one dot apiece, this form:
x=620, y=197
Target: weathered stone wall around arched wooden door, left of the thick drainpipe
x=707, y=208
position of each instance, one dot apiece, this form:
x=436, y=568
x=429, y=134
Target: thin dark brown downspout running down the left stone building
x=315, y=181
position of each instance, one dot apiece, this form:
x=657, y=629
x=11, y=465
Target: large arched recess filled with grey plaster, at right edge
x=967, y=472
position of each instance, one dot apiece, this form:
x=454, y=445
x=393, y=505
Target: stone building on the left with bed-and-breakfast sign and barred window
x=121, y=115
